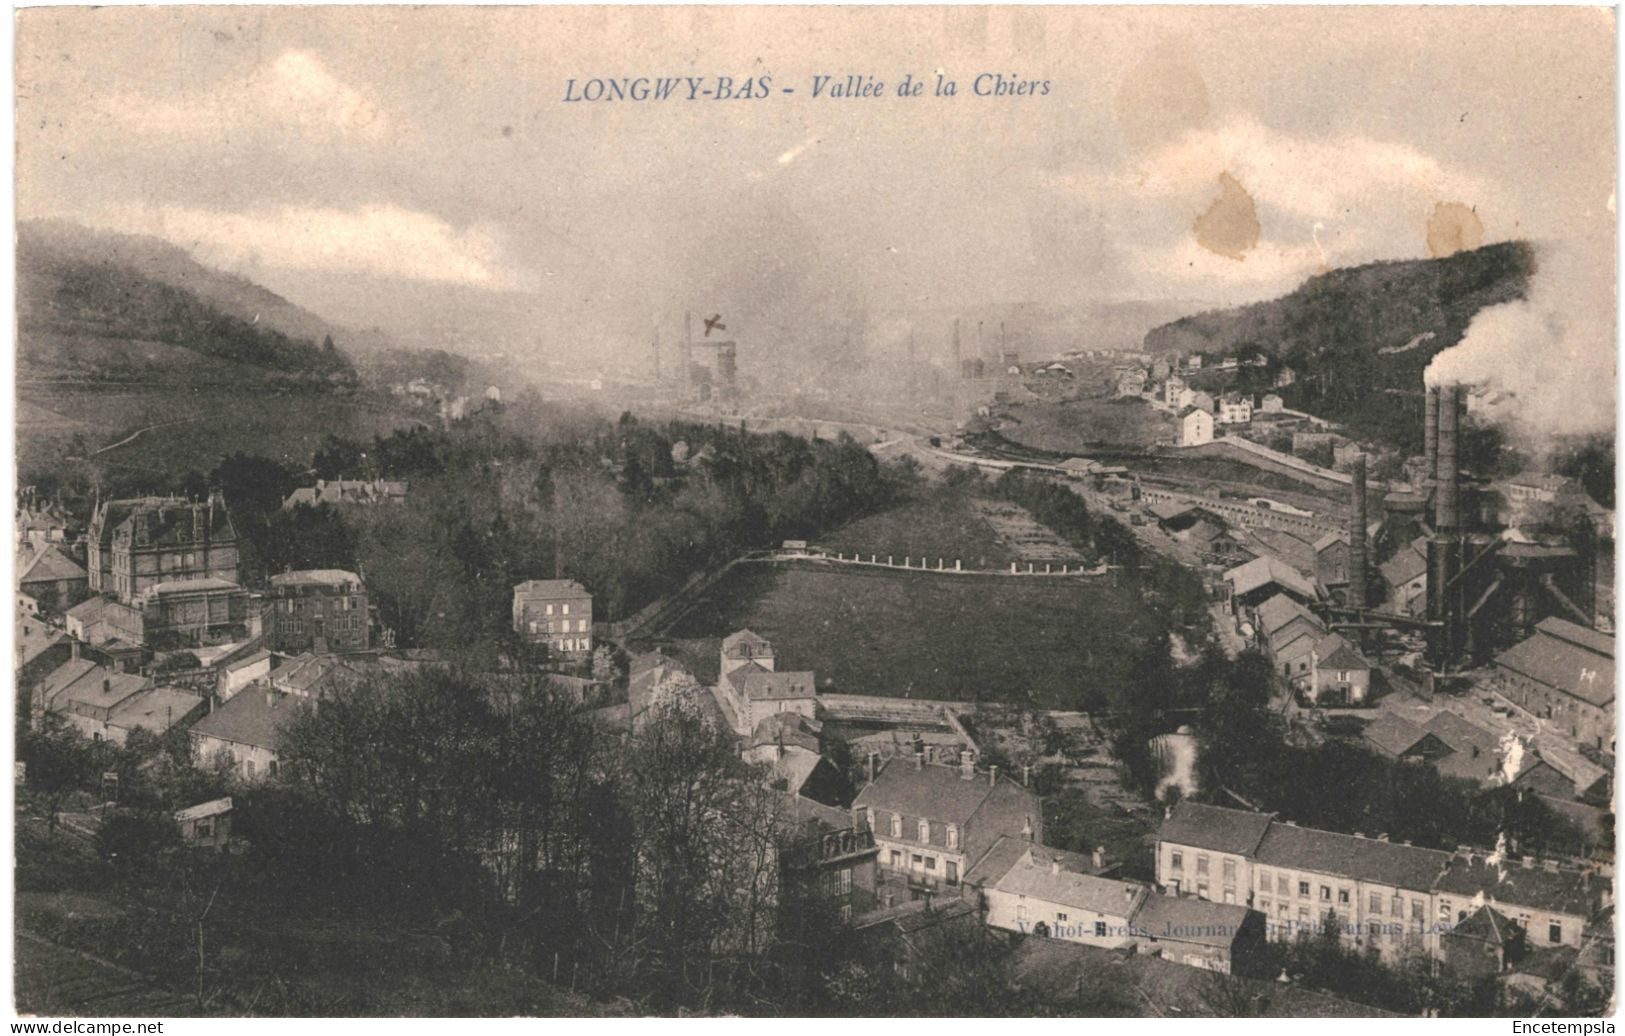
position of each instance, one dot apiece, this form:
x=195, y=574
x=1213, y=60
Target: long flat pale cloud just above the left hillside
x=376, y=240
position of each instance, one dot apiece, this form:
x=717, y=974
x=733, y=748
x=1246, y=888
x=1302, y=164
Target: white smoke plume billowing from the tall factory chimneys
x=1548, y=361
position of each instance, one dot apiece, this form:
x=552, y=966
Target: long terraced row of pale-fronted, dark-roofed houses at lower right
x=1392, y=897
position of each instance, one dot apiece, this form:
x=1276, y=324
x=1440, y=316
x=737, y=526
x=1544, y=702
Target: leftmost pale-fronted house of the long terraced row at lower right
x=1203, y=852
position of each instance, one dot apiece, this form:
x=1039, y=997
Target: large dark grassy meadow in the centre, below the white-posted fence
x=1051, y=644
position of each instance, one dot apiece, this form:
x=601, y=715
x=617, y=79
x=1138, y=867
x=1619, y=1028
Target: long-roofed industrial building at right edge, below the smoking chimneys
x=1566, y=676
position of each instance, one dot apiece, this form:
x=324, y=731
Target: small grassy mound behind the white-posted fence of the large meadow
x=943, y=524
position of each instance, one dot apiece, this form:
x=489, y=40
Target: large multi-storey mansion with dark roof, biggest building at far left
x=142, y=543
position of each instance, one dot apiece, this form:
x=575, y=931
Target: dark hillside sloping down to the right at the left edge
x=110, y=308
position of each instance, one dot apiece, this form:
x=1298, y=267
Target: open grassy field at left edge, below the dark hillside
x=186, y=428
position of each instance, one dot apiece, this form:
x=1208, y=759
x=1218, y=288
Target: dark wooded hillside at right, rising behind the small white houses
x=1361, y=339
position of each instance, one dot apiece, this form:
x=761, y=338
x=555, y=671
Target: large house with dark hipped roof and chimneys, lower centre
x=935, y=821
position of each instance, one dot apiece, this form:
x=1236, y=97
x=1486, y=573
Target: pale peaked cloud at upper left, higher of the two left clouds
x=295, y=93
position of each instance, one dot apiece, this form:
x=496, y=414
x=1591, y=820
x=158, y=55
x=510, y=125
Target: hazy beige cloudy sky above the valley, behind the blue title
x=422, y=166
